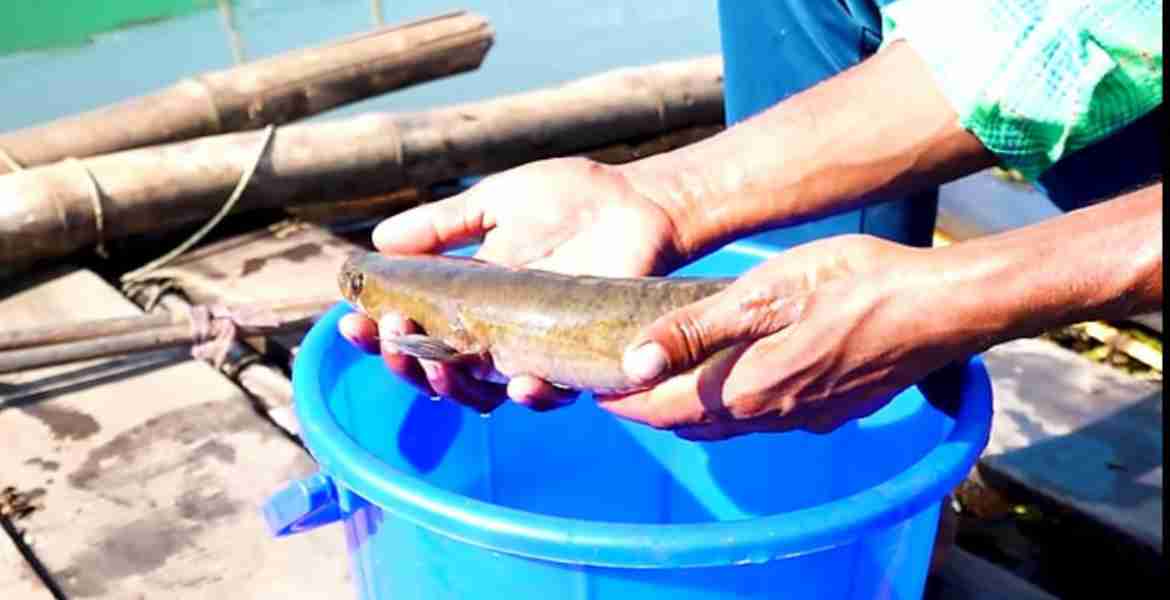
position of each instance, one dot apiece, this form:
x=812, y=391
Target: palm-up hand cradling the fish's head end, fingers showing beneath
x=572, y=216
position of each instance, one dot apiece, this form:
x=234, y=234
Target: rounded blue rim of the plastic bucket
x=634, y=546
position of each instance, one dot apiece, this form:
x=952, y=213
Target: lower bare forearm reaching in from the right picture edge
x=1103, y=263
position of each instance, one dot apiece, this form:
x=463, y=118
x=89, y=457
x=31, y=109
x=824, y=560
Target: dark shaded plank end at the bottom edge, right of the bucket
x=968, y=577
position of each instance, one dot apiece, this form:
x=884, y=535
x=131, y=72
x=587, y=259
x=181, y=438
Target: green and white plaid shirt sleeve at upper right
x=1038, y=80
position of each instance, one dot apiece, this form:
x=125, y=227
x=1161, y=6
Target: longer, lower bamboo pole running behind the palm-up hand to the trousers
x=56, y=210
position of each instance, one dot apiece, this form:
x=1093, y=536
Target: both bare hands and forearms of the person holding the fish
x=825, y=333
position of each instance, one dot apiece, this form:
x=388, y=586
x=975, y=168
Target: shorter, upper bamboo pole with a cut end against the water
x=276, y=91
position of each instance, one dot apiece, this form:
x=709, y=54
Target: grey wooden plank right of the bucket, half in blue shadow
x=1080, y=435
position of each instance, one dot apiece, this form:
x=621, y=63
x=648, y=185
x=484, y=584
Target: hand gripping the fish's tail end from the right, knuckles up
x=820, y=335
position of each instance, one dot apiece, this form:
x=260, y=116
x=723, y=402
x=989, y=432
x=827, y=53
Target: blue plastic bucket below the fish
x=439, y=502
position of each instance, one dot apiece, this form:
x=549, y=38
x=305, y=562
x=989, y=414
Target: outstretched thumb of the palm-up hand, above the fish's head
x=435, y=227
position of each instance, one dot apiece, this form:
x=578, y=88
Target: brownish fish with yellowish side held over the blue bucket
x=568, y=330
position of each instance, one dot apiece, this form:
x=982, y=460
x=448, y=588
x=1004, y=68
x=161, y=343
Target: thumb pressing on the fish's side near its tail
x=687, y=336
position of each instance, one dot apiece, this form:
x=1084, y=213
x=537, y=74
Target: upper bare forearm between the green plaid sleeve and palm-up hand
x=878, y=130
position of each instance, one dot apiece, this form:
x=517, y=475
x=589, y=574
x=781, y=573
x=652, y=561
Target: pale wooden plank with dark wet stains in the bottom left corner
x=153, y=470
